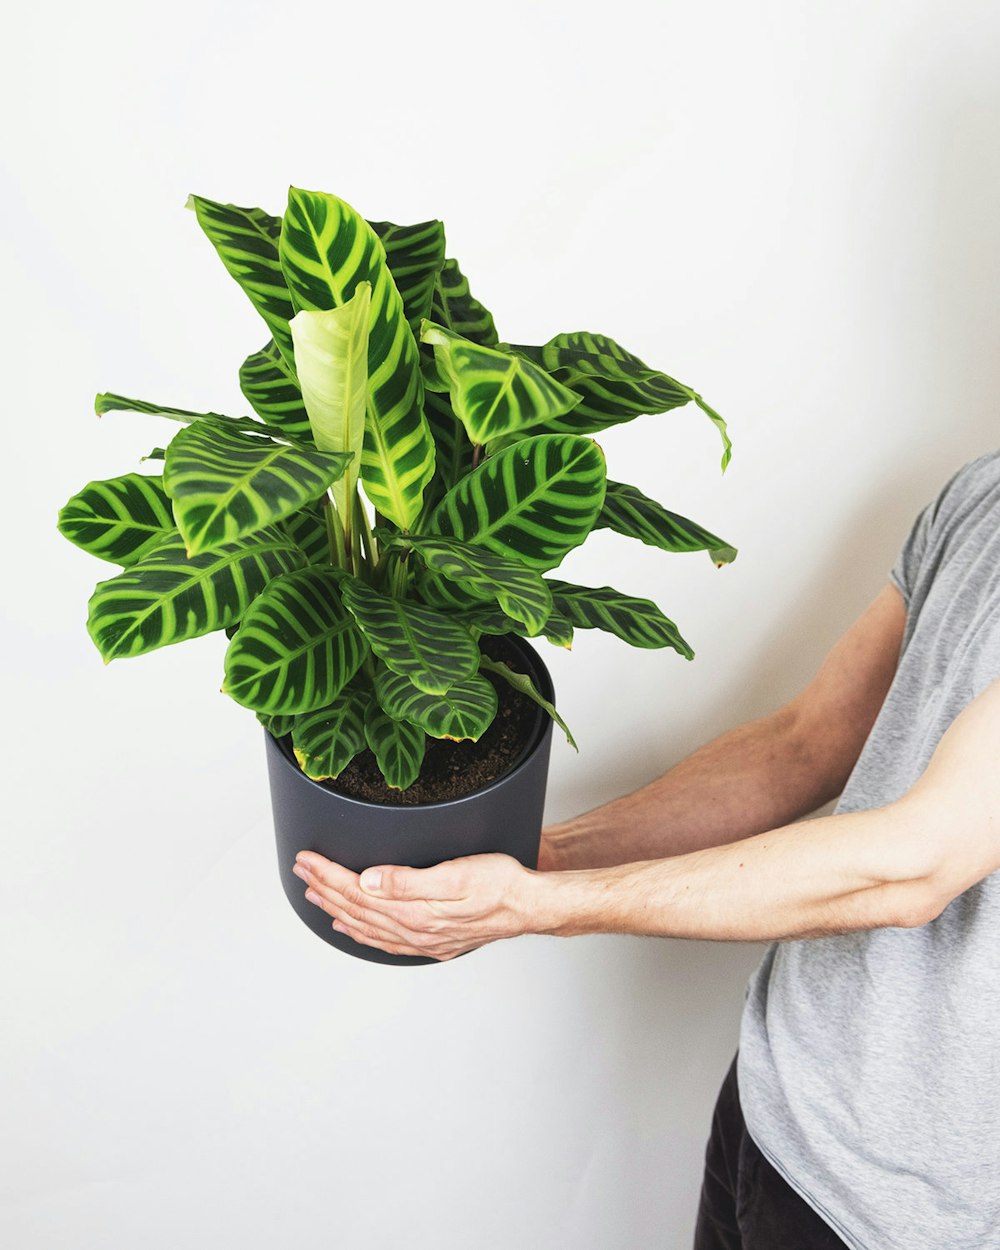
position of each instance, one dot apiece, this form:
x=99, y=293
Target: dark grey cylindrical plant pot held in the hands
x=504, y=817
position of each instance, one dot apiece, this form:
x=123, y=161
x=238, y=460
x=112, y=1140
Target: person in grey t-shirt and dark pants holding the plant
x=864, y=1106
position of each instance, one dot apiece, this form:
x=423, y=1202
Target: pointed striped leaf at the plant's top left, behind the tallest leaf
x=247, y=242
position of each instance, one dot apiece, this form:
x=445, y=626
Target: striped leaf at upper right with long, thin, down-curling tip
x=616, y=386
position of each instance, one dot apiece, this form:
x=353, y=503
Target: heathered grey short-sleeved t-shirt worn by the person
x=871, y=1063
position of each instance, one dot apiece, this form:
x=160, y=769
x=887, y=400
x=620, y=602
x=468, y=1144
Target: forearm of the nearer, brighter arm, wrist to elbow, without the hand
x=832, y=876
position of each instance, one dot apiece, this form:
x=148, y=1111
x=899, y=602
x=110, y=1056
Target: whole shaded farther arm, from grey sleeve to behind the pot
x=761, y=776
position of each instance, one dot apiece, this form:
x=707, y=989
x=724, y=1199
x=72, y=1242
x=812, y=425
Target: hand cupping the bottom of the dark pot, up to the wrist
x=439, y=912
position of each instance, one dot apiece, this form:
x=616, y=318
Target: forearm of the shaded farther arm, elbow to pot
x=758, y=777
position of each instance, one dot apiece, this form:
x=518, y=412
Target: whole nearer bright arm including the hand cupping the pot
x=898, y=866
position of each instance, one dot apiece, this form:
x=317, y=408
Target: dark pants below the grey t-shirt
x=746, y=1204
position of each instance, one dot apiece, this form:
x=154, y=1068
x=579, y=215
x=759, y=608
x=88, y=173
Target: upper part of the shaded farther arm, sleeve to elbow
x=834, y=716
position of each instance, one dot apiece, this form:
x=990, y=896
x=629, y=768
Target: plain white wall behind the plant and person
x=792, y=208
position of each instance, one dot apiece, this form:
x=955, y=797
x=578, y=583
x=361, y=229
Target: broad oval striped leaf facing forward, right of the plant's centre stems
x=534, y=502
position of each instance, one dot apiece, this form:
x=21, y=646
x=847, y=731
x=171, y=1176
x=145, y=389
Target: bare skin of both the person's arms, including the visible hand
x=717, y=847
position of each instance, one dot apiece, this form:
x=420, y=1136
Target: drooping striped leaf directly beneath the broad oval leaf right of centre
x=522, y=593
